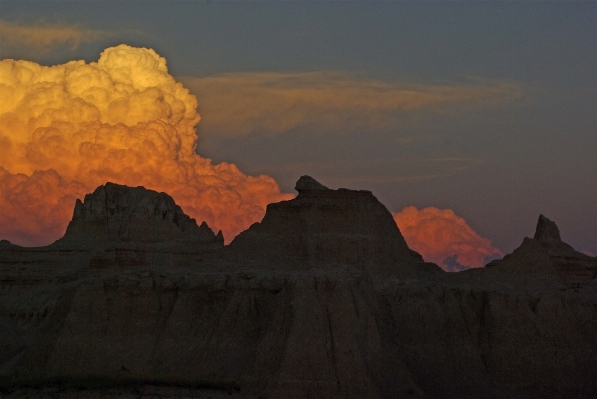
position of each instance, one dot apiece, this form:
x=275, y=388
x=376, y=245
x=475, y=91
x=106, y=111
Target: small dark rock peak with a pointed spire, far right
x=548, y=255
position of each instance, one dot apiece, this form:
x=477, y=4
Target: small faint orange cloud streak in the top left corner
x=44, y=36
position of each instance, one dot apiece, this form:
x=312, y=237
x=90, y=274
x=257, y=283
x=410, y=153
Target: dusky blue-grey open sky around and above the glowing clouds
x=497, y=163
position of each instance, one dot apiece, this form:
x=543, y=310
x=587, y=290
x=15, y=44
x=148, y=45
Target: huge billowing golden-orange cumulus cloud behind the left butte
x=68, y=128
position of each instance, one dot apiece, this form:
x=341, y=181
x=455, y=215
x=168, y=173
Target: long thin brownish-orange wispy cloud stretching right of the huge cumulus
x=239, y=103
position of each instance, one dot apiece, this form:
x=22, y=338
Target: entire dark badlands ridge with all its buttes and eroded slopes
x=322, y=299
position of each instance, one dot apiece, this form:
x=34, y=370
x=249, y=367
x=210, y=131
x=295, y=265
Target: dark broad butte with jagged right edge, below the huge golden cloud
x=129, y=226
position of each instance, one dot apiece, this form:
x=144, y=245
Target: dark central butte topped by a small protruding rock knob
x=322, y=228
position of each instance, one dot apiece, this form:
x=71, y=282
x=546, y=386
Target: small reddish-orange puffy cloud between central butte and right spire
x=444, y=238
